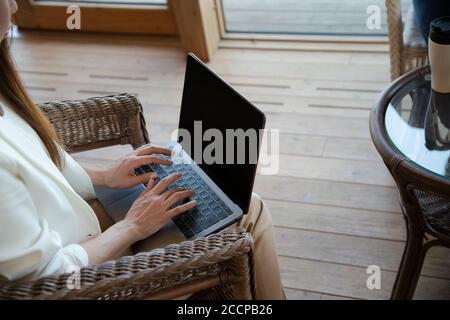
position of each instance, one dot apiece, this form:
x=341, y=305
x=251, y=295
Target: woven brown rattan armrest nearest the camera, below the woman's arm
x=192, y=266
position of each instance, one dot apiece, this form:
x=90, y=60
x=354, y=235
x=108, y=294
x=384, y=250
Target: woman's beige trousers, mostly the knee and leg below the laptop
x=259, y=224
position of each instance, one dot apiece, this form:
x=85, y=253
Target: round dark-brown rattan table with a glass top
x=413, y=140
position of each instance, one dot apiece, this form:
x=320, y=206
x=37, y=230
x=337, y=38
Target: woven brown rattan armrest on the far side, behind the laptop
x=98, y=122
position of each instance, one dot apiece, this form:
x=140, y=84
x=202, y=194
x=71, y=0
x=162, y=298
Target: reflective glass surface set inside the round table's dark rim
x=420, y=132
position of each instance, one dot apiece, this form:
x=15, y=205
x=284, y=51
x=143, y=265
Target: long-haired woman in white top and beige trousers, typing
x=46, y=225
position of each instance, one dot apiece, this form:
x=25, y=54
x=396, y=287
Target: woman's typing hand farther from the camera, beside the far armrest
x=121, y=173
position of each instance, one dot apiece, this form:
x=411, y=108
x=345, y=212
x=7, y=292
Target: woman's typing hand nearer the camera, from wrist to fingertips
x=153, y=208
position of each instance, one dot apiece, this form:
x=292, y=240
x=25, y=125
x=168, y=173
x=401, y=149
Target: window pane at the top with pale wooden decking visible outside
x=309, y=17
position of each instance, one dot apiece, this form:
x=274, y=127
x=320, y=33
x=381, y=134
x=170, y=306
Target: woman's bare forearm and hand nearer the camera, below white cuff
x=149, y=213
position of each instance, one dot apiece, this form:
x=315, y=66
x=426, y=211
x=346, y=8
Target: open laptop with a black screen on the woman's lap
x=223, y=185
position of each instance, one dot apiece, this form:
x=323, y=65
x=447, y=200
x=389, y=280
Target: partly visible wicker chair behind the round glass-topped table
x=407, y=49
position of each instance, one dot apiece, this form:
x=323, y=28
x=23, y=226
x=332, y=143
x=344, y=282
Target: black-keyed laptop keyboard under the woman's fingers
x=210, y=208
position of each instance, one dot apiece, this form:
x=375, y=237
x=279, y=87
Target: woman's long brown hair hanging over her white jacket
x=14, y=92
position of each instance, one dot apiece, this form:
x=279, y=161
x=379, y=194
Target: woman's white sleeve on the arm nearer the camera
x=28, y=248
